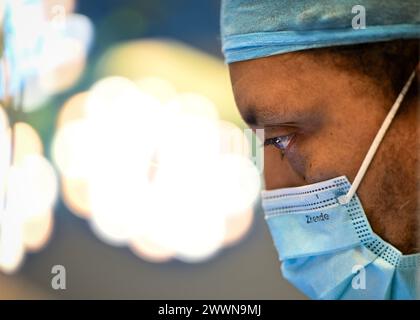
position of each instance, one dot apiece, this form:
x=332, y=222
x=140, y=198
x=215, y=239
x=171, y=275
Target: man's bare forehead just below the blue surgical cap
x=284, y=83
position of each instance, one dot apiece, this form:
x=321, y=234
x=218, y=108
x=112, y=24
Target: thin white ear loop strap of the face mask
x=344, y=199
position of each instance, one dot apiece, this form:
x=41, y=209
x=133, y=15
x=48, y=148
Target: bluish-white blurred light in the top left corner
x=45, y=48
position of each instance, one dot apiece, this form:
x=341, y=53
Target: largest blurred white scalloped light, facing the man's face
x=157, y=170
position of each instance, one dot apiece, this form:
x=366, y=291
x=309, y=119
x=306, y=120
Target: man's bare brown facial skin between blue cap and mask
x=334, y=112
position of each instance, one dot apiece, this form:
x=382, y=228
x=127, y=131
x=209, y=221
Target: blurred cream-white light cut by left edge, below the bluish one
x=28, y=190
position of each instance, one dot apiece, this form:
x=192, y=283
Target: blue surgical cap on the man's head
x=259, y=28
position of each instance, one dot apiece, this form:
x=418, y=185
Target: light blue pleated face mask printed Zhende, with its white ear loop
x=326, y=244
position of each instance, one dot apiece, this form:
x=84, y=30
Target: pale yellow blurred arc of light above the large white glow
x=185, y=68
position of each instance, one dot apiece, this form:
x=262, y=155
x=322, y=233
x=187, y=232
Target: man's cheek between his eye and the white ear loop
x=340, y=145
